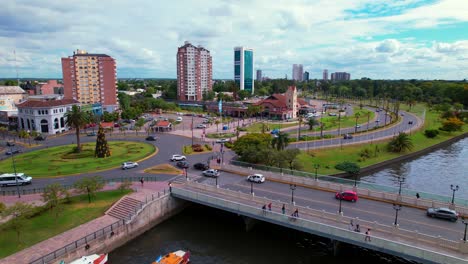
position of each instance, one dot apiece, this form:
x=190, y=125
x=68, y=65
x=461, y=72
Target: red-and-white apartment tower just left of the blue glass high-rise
x=194, y=72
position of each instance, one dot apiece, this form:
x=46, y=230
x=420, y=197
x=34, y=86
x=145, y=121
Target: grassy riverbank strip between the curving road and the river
x=328, y=158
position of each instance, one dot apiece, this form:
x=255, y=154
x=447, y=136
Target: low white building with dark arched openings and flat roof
x=46, y=116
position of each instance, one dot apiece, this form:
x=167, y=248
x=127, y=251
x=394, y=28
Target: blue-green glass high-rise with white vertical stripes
x=244, y=68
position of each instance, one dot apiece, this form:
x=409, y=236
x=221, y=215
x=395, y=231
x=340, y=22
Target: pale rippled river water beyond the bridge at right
x=431, y=173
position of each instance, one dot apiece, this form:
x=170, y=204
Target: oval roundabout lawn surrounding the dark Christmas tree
x=60, y=161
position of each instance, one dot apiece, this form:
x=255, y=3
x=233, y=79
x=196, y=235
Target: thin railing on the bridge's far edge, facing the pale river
x=350, y=183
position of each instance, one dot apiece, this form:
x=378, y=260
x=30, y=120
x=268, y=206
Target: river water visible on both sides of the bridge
x=214, y=236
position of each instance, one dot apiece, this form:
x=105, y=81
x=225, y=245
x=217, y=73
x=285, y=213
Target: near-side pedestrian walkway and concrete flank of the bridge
x=385, y=238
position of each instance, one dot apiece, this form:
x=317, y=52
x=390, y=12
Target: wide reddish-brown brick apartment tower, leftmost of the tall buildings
x=90, y=79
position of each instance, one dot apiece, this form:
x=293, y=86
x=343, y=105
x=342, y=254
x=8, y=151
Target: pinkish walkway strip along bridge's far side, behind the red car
x=335, y=187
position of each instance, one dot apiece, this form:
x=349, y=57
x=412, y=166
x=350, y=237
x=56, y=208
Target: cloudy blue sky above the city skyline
x=378, y=39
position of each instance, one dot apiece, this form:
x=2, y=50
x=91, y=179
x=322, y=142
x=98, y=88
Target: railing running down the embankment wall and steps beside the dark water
x=110, y=229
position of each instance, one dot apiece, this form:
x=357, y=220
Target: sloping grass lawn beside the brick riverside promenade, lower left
x=44, y=226
